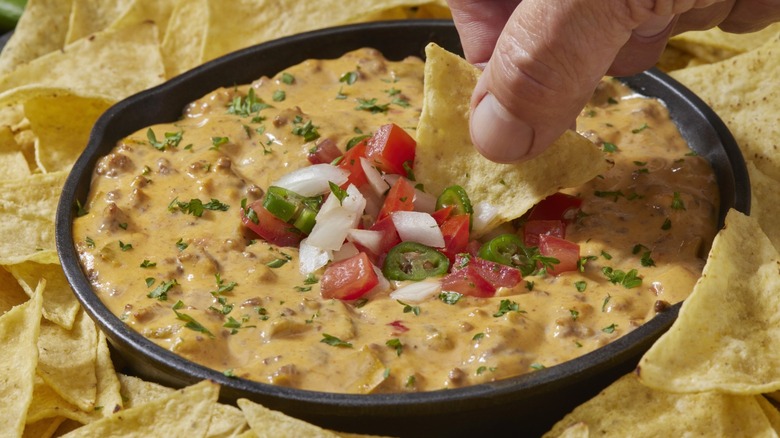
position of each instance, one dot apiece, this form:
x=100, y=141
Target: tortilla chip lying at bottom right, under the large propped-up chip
x=627, y=408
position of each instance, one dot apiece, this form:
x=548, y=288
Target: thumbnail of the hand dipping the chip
x=497, y=134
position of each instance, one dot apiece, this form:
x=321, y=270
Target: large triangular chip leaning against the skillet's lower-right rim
x=724, y=336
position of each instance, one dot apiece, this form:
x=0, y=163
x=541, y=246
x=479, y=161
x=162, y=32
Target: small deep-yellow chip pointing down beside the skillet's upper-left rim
x=62, y=137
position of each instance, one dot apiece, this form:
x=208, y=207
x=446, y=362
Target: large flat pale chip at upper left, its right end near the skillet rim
x=120, y=63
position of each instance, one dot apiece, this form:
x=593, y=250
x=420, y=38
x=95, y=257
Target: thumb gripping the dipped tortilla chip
x=547, y=62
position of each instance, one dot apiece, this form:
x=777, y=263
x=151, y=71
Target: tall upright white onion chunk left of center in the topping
x=336, y=218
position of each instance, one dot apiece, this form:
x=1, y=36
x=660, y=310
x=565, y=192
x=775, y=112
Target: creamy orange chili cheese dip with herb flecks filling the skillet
x=165, y=241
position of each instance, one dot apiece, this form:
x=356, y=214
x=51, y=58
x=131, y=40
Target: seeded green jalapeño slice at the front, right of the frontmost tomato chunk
x=414, y=261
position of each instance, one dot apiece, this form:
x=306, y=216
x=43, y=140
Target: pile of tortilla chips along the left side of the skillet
x=66, y=63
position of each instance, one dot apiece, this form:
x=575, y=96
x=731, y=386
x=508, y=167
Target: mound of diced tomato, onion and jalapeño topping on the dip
x=360, y=217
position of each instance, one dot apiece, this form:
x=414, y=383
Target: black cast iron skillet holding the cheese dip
x=526, y=405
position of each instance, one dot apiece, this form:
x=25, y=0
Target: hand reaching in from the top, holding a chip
x=542, y=59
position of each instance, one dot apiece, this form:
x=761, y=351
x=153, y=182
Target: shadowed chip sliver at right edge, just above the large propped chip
x=765, y=202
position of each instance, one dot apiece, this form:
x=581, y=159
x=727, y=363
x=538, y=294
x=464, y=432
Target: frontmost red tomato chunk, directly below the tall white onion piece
x=348, y=279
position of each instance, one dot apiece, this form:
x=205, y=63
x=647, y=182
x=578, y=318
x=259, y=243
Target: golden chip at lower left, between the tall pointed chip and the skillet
x=67, y=360
